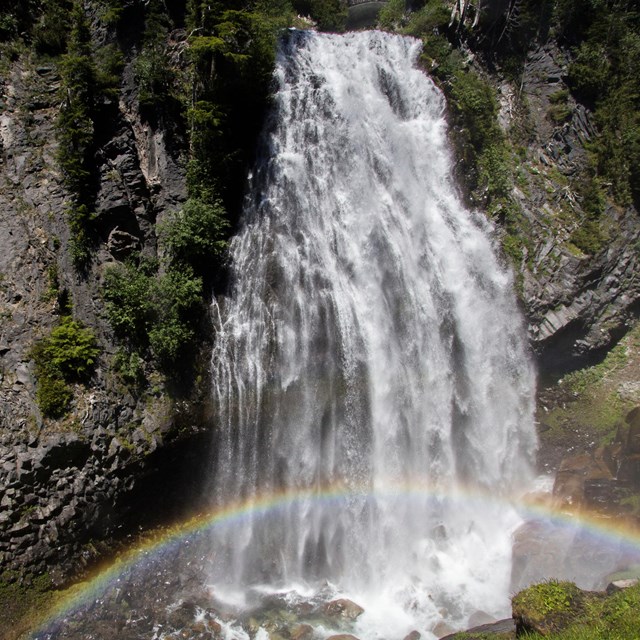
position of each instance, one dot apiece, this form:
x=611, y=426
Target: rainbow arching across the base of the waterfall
x=605, y=531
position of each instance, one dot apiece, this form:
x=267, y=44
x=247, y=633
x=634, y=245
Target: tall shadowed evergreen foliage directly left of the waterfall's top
x=232, y=55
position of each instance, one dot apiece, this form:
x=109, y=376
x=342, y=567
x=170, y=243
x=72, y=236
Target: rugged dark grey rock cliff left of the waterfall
x=84, y=478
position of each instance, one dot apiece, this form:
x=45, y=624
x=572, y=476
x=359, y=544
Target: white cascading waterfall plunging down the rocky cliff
x=370, y=341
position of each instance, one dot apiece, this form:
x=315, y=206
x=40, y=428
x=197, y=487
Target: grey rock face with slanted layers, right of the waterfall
x=577, y=305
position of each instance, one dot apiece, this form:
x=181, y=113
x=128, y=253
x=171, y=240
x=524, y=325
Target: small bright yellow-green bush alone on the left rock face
x=68, y=354
